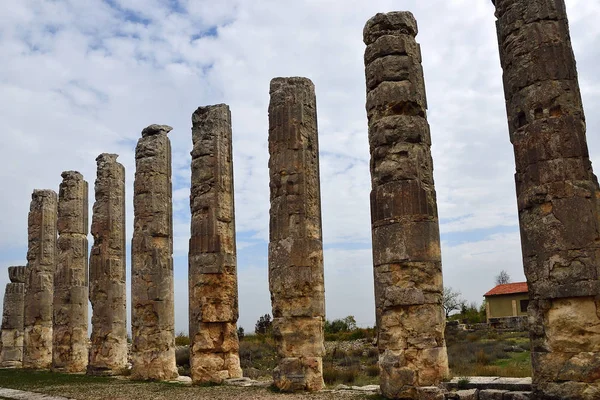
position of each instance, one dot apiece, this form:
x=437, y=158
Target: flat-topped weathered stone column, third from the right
x=295, y=246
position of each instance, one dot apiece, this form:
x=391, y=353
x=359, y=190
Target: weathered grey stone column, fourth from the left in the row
x=108, y=291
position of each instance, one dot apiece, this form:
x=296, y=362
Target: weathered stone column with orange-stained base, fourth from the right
x=213, y=305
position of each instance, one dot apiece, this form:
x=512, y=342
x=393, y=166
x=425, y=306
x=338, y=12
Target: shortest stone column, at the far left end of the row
x=12, y=319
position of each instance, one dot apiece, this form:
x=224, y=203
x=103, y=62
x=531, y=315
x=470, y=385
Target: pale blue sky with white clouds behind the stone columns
x=81, y=78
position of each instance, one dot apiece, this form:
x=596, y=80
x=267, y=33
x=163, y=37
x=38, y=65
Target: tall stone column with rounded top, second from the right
x=406, y=240
